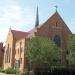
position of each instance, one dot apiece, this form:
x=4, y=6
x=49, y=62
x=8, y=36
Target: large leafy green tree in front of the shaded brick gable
x=43, y=53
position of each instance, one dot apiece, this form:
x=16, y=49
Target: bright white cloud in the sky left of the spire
x=13, y=15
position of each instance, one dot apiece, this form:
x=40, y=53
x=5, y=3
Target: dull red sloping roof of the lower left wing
x=19, y=34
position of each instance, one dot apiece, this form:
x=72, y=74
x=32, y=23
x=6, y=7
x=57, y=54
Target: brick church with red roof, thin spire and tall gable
x=54, y=28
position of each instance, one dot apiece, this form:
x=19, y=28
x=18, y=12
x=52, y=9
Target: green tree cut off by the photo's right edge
x=71, y=50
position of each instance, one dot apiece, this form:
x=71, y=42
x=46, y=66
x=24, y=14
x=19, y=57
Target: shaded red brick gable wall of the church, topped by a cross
x=55, y=26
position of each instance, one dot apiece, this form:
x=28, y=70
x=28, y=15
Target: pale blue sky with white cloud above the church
x=21, y=14
